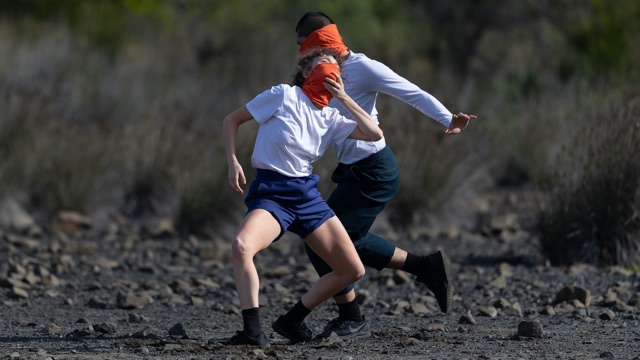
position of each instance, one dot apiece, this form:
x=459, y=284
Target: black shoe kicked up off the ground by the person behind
x=435, y=274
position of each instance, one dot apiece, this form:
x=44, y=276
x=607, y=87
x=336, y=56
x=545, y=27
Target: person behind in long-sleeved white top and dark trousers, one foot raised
x=367, y=176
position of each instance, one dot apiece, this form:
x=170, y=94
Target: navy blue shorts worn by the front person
x=295, y=202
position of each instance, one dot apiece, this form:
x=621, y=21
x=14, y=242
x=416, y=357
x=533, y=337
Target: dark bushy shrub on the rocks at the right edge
x=592, y=209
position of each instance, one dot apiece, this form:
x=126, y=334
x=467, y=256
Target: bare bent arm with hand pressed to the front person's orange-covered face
x=367, y=128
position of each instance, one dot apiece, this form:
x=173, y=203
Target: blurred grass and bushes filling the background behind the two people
x=118, y=104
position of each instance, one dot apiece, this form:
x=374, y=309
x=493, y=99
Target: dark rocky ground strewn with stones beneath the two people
x=125, y=292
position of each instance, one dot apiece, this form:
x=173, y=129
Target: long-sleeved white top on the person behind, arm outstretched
x=363, y=79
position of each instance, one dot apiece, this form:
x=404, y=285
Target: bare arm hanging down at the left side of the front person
x=230, y=127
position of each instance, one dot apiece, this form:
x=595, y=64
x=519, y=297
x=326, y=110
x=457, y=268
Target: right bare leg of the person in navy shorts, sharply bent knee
x=332, y=243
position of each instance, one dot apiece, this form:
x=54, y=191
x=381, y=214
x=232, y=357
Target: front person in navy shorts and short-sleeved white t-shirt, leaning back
x=295, y=128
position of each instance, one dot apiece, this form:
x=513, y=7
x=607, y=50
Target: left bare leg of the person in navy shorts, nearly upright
x=256, y=233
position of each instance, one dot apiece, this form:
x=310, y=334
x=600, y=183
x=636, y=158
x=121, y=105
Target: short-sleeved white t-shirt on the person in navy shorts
x=293, y=133
